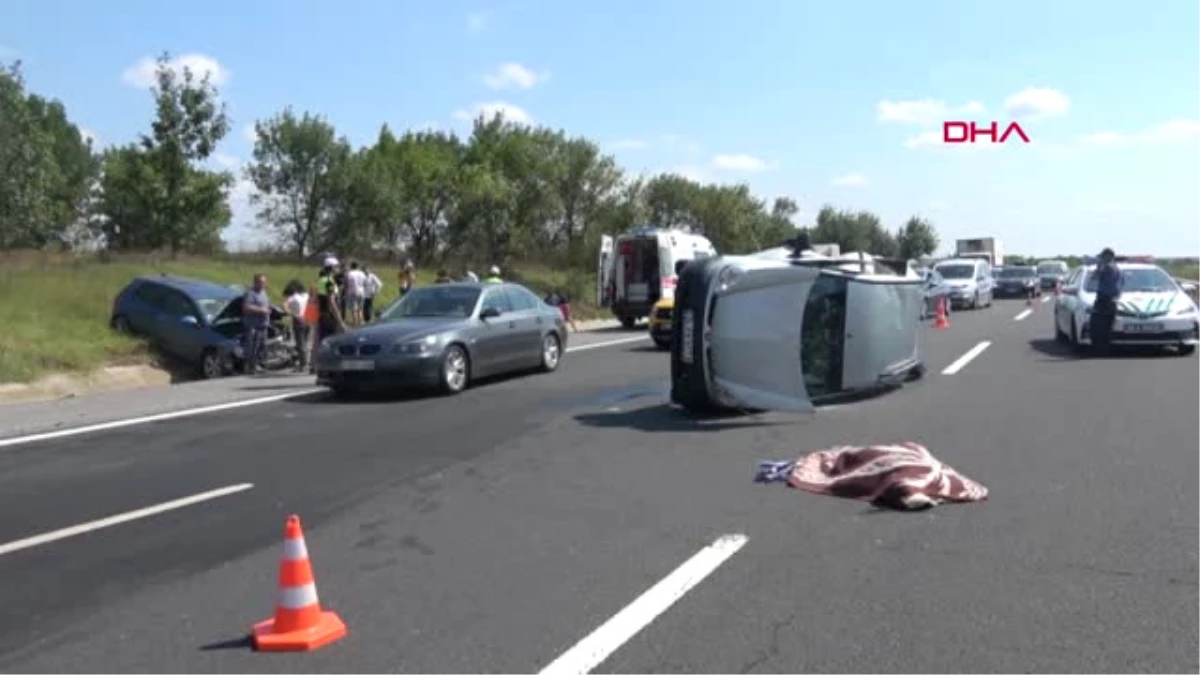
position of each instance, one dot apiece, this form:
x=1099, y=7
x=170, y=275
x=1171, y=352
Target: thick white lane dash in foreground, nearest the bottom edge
x=593, y=650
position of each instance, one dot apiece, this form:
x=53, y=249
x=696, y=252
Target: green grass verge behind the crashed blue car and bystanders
x=56, y=309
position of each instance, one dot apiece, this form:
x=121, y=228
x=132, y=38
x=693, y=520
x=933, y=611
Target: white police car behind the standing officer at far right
x=1154, y=309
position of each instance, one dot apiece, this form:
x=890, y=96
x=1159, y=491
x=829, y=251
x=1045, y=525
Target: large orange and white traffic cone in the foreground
x=299, y=624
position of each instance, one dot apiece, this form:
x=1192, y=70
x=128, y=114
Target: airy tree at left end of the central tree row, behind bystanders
x=301, y=171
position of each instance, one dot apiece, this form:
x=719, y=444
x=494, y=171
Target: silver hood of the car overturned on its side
x=757, y=337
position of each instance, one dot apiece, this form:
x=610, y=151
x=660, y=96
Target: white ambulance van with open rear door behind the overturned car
x=639, y=268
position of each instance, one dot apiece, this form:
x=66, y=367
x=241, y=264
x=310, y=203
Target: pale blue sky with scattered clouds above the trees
x=827, y=103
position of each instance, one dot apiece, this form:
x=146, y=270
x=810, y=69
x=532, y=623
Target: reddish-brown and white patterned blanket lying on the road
x=902, y=476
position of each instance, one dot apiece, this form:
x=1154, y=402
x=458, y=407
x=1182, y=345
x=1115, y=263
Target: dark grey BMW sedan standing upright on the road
x=445, y=337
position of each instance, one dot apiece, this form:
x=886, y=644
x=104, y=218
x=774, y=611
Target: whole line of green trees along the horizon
x=505, y=194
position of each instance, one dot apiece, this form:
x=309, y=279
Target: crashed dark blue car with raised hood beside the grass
x=196, y=322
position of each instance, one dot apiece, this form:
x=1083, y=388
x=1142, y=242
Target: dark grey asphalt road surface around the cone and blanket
x=494, y=533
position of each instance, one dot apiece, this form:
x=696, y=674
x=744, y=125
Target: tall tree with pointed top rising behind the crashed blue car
x=158, y=196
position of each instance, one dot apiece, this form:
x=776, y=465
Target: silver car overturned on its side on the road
x=791, y=330
